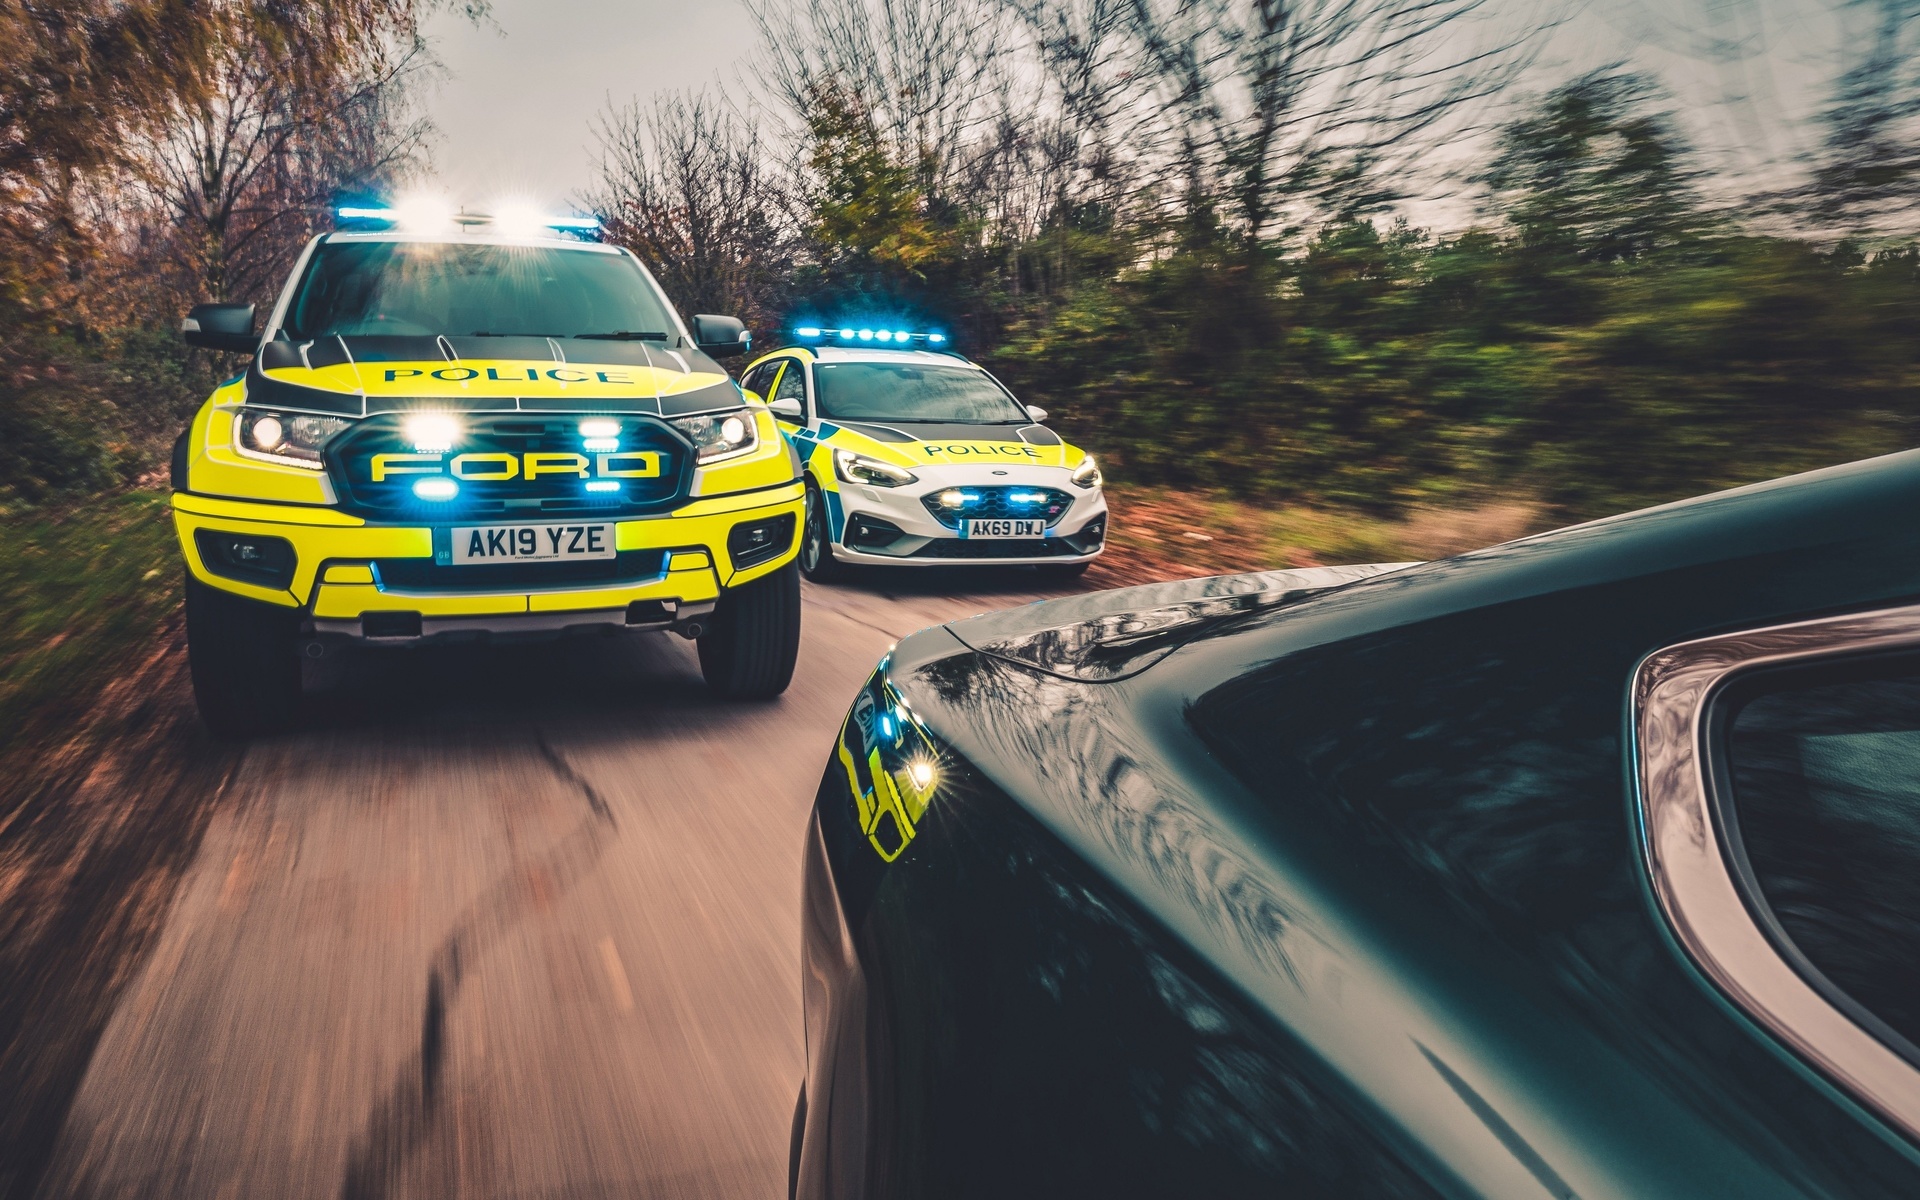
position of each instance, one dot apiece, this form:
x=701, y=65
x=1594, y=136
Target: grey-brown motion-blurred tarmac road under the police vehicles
x=498, y=923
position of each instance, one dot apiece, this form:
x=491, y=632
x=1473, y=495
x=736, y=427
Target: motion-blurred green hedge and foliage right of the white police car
x=1598, y=341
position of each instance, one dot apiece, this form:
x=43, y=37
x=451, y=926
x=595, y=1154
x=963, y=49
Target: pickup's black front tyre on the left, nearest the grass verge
x=241, y=654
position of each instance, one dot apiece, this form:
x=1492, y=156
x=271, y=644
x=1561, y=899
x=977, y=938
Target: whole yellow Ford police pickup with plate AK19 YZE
x=477, y=433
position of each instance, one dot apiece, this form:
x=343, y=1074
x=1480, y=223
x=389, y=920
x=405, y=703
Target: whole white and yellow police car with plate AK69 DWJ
x=917, y=458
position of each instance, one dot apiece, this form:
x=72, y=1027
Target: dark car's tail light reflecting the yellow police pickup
x=892, y=767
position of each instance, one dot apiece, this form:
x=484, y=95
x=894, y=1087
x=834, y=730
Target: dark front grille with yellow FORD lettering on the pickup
x=491, y=462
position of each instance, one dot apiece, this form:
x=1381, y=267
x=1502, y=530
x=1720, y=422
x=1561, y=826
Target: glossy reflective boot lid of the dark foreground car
x=1107, y=636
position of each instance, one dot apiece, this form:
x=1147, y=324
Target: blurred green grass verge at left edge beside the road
x=85, y=594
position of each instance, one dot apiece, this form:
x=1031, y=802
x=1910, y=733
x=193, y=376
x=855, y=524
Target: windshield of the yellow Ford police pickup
x=362, y=289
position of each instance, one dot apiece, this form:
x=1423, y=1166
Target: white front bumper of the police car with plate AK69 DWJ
x=1078, y=537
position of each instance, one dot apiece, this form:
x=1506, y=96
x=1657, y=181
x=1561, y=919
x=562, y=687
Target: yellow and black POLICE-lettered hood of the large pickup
x=391, y=373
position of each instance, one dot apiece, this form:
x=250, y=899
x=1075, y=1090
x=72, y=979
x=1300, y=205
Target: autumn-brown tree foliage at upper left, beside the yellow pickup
x=153, y=155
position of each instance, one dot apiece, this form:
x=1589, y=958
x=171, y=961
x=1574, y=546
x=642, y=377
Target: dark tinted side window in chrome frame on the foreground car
x=1827, y=805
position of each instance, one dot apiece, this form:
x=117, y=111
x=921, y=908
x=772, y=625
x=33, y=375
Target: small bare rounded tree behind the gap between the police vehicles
x=704, y=201
